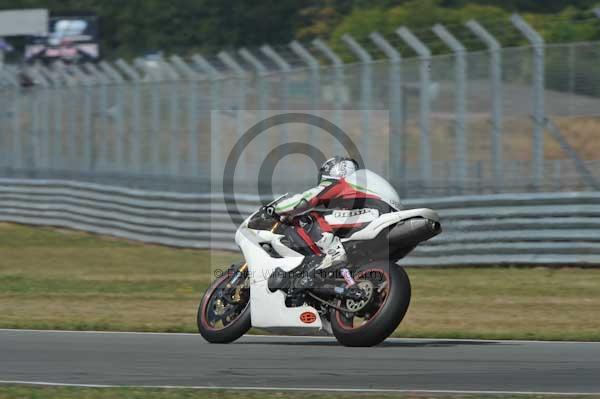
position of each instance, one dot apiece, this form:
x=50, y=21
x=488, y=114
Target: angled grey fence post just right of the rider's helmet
x=366, y=93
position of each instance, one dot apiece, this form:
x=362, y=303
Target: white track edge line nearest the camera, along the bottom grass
x=310, y=389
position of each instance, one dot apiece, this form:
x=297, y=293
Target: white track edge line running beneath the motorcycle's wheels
x=294, y=336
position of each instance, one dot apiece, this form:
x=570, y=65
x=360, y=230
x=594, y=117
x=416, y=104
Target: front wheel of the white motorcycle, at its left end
x=224, y=311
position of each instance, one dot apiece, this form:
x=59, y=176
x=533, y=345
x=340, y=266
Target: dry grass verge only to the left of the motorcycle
x=68, y=280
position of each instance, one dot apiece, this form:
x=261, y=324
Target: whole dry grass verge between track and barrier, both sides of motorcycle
x=58, y=279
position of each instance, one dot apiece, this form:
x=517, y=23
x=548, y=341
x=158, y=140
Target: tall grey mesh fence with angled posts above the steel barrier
x=522, y=119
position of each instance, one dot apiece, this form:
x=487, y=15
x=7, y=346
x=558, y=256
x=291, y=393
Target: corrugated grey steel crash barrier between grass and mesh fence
x=537, y=229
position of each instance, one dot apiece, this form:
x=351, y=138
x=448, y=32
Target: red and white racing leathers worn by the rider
x=352, y=205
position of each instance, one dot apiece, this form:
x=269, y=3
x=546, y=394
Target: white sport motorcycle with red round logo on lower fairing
x=360, y=302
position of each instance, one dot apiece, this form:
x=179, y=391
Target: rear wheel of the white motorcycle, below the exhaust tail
x=375, y=318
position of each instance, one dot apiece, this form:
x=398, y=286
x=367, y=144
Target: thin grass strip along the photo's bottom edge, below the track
x=38, y=392
